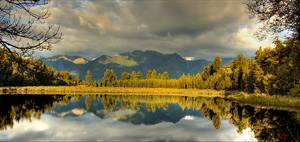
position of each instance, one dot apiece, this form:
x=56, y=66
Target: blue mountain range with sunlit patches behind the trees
x=137, y=60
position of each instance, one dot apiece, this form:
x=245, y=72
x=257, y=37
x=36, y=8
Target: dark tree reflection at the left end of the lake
x=24, y=107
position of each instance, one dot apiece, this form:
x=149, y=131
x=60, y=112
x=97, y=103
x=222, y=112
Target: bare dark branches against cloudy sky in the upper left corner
x=23, y=29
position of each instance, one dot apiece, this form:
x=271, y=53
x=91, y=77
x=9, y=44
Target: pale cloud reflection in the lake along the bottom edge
x=91, y=127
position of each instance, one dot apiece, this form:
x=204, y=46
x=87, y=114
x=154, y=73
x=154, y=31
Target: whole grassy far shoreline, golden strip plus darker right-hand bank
x=240, y=97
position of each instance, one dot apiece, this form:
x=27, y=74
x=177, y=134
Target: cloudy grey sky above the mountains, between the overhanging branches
x=192, y=28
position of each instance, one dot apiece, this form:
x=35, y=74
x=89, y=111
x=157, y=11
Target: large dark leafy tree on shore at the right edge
x=281, y=65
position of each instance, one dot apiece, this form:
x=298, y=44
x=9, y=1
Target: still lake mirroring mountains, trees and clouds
x=142, y=118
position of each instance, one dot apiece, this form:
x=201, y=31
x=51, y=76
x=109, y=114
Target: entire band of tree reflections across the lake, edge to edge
x=267, y=124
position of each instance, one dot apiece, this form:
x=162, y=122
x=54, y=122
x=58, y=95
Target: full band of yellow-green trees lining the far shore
x=273, y=71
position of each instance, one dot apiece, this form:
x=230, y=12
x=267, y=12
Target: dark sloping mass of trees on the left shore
x=18, y=71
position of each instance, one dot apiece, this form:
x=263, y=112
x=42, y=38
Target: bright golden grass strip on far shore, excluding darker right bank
x=109, y=90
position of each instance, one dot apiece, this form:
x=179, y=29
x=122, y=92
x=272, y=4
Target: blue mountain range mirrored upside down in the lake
x=142, y=115
